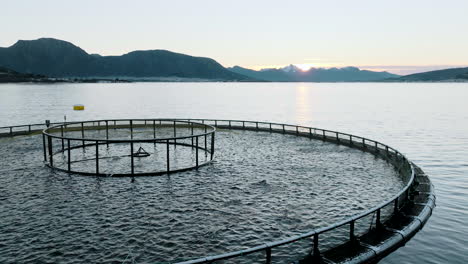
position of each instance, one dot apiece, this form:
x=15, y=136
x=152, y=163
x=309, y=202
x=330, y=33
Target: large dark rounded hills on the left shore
x=58, y=58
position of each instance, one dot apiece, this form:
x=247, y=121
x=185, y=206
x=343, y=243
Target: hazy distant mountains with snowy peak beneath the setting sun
x=293, y=74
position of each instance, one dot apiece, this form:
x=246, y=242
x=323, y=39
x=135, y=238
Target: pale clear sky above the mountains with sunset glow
x=397, y=36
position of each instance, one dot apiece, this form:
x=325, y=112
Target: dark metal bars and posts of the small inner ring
x=48, y=134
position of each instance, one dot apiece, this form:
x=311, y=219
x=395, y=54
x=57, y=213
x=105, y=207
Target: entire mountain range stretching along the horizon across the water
x=61, y=59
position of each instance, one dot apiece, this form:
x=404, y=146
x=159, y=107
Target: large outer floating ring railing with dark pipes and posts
x=369, y=236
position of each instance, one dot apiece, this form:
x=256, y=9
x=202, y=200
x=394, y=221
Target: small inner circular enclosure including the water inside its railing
x=95, y=140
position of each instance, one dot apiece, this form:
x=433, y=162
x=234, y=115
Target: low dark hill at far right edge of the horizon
x=455, y=74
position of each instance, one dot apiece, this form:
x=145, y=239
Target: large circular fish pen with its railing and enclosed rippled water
x=273, y=193
